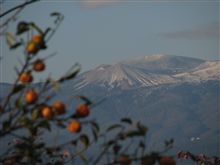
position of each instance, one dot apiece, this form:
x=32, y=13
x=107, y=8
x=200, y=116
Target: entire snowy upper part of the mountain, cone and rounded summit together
x=150, y=71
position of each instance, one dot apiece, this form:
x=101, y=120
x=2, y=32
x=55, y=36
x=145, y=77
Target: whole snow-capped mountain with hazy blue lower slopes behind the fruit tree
x=176, y=97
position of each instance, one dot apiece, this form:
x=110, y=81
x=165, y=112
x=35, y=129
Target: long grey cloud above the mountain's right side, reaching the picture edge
x=198, y=33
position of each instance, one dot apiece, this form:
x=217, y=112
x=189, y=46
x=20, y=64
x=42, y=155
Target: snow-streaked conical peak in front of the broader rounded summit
x=124, y=76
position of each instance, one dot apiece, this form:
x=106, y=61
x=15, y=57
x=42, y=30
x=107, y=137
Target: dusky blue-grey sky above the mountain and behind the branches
x=105, y=32
